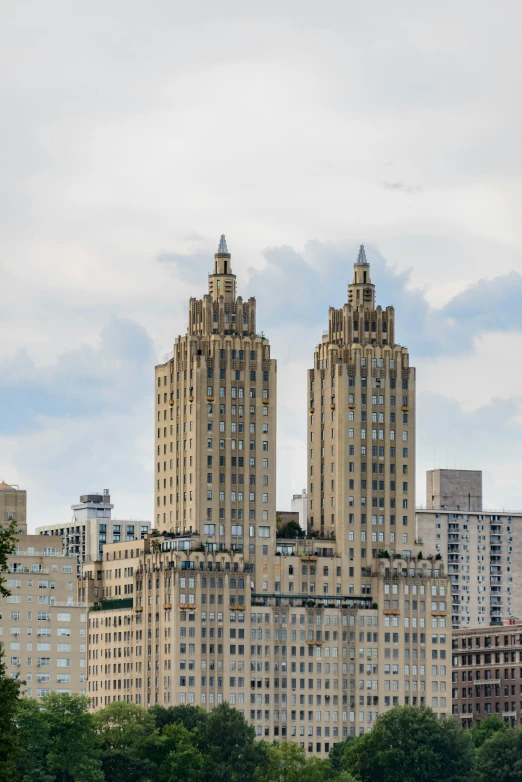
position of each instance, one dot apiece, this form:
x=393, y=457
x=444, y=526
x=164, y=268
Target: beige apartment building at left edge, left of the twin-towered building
x=43, y=628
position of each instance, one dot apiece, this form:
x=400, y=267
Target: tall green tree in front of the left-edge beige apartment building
x=71, y=756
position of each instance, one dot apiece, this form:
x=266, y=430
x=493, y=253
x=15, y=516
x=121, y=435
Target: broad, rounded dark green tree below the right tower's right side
x=408, y=744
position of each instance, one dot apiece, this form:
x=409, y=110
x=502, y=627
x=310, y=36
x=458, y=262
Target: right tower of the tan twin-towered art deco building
x=361, y=434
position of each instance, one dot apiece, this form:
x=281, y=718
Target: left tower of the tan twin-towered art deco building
x=216, y=423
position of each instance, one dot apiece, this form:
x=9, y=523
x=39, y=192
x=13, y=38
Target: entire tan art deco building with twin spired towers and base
x=310, y=638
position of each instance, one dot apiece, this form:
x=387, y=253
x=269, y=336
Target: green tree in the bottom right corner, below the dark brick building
x=499, y=759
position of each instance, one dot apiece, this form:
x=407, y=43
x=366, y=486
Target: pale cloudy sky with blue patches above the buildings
x=133, y=134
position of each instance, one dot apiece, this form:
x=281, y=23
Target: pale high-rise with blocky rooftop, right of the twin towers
x=480, y=548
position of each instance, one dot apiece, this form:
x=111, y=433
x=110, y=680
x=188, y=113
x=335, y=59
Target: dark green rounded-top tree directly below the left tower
x=228, y=742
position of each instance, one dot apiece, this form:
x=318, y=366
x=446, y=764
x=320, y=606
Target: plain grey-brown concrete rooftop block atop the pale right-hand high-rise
x=458, y=490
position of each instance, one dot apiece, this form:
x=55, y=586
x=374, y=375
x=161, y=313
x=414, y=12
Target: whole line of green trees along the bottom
x=57, y=739
